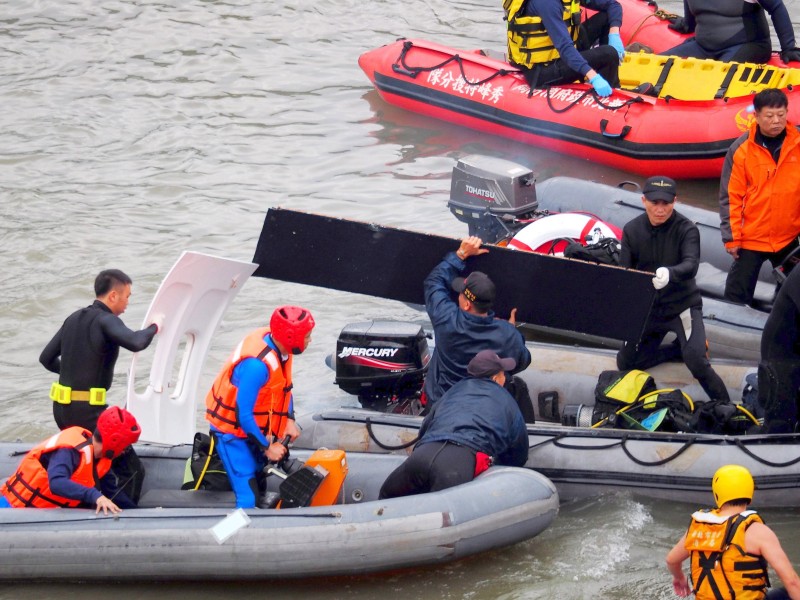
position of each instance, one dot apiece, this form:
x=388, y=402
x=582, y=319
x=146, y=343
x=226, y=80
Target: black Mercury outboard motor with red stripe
x=384, y=364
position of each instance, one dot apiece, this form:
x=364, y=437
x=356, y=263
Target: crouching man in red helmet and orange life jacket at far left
x=69, y=469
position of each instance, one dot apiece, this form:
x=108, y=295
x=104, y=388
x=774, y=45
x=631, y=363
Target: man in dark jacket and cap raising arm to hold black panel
x=463, y=326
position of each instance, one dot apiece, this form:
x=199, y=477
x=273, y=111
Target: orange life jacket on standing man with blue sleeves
x=272, y=403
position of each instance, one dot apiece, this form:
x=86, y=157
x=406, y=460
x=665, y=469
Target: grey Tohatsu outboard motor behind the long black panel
x=490, y=195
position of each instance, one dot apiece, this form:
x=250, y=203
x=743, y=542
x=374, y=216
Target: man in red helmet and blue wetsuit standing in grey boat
x=250, y=406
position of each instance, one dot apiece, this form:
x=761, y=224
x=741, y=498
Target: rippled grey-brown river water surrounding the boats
x=131, y=131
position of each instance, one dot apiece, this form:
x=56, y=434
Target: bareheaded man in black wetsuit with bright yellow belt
x=84, y=351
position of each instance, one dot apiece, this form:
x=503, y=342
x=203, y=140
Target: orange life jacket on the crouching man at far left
x=30, y=486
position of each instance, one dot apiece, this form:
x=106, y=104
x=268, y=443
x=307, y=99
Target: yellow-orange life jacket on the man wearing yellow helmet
x=721, y=569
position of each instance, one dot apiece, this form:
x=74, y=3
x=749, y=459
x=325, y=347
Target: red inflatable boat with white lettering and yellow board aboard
x=701, y=108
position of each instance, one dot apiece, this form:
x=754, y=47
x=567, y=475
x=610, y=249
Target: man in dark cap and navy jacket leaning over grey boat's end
x=477, y=423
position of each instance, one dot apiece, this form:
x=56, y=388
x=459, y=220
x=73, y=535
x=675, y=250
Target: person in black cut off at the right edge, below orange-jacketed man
x=779, y=370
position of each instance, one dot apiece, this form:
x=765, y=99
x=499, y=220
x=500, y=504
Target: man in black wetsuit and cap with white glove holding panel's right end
x=665, y=242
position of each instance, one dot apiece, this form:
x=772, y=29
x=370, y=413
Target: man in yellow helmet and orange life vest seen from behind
x=730, y=547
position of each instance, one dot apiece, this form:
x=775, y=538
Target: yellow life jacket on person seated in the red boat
x=528, y=41
